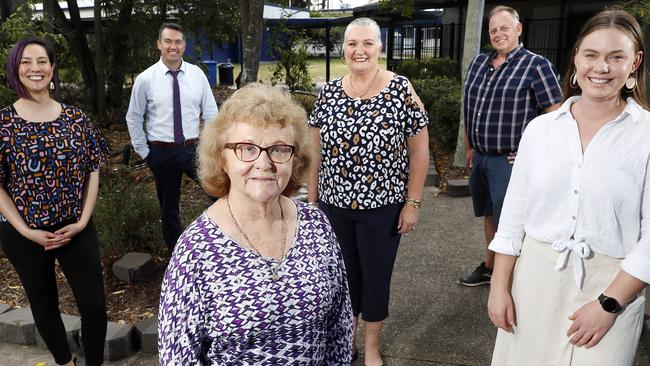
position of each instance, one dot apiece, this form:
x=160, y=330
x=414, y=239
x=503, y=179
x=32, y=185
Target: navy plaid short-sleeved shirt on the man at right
x=500, y=102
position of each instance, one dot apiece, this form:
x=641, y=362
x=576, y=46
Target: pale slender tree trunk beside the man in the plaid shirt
x=473, y=24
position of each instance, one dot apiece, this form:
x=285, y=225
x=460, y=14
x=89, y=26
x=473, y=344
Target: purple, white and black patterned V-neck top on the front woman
x=219, y=305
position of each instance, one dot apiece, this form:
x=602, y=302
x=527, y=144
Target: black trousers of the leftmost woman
x=81, y=265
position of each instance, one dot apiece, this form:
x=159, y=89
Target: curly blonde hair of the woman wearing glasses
x=260, y=106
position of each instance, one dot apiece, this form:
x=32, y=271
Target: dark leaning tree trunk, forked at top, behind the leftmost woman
x=75, y=36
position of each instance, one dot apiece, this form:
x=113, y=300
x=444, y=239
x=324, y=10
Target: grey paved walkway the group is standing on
x=434, y=321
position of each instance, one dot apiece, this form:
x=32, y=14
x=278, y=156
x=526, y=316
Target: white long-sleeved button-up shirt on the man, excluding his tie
x=152, y=101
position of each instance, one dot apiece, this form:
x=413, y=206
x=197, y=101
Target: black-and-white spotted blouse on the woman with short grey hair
x=364, y=154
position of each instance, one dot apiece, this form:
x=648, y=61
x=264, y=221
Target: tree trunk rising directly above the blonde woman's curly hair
x=252, y=22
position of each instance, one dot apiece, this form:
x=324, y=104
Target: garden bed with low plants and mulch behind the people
x=133, y=302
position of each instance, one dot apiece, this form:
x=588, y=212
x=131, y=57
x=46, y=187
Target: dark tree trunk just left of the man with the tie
x=120, y=58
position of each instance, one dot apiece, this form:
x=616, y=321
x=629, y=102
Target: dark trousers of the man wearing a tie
x=168, y=163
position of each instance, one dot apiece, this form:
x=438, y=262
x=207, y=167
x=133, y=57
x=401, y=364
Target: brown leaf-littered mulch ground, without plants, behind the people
x=133, y=302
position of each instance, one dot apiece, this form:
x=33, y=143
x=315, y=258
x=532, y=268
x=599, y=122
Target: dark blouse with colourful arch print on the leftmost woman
x=43, y=165
